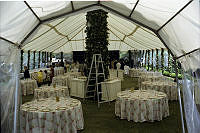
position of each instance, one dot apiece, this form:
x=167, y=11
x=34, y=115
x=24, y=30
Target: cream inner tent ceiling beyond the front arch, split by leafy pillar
x=68, y=34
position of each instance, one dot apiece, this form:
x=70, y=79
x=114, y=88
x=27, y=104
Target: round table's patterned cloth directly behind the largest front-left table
x=50, y=91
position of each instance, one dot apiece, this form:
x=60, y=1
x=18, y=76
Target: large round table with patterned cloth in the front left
x=49, y=116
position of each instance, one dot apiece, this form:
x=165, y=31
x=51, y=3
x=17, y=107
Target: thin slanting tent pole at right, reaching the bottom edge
x=179, y=95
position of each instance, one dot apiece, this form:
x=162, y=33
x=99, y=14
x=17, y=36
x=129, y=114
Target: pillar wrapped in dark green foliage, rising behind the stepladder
x=97, y=37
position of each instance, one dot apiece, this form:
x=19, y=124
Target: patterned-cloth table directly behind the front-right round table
x=170, y=88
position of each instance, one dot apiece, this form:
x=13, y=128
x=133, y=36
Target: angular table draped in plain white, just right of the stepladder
x=112, y=87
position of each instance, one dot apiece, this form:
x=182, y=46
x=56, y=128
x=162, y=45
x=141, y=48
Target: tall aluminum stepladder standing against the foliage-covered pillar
x=93, y=83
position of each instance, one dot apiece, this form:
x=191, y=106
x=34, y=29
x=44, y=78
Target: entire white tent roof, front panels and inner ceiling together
x=133, y=24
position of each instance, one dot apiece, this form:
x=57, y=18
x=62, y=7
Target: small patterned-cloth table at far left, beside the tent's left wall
x=28, y=86
